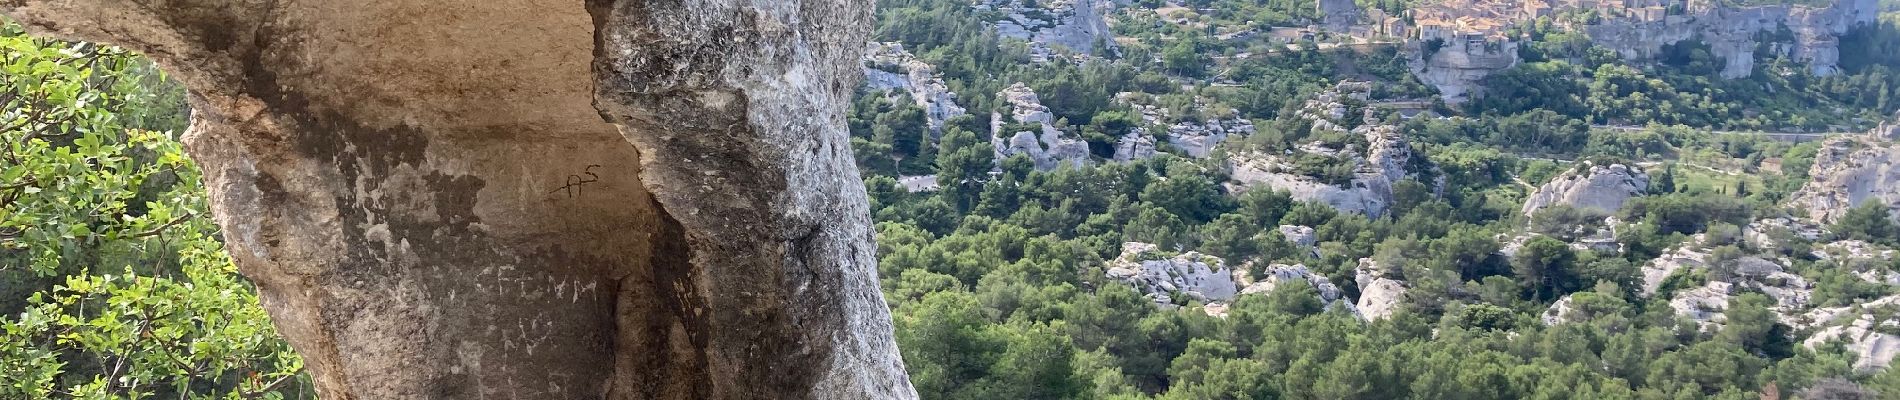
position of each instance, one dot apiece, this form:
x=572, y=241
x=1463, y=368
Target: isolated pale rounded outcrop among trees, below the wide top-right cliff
x=1599, y=189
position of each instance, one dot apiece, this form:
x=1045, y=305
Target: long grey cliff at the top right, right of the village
x=1732, y=33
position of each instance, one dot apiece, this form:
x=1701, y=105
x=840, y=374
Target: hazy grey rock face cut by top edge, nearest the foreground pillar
x=1078, y=26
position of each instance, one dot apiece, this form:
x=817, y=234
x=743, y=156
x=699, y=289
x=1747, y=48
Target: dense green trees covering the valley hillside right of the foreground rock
x=1000, y=293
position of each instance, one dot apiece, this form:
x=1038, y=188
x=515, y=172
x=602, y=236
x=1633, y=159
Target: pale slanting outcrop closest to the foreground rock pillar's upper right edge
x=888, y=67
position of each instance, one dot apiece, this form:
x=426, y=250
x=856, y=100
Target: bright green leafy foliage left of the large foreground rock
x=115, y=283
